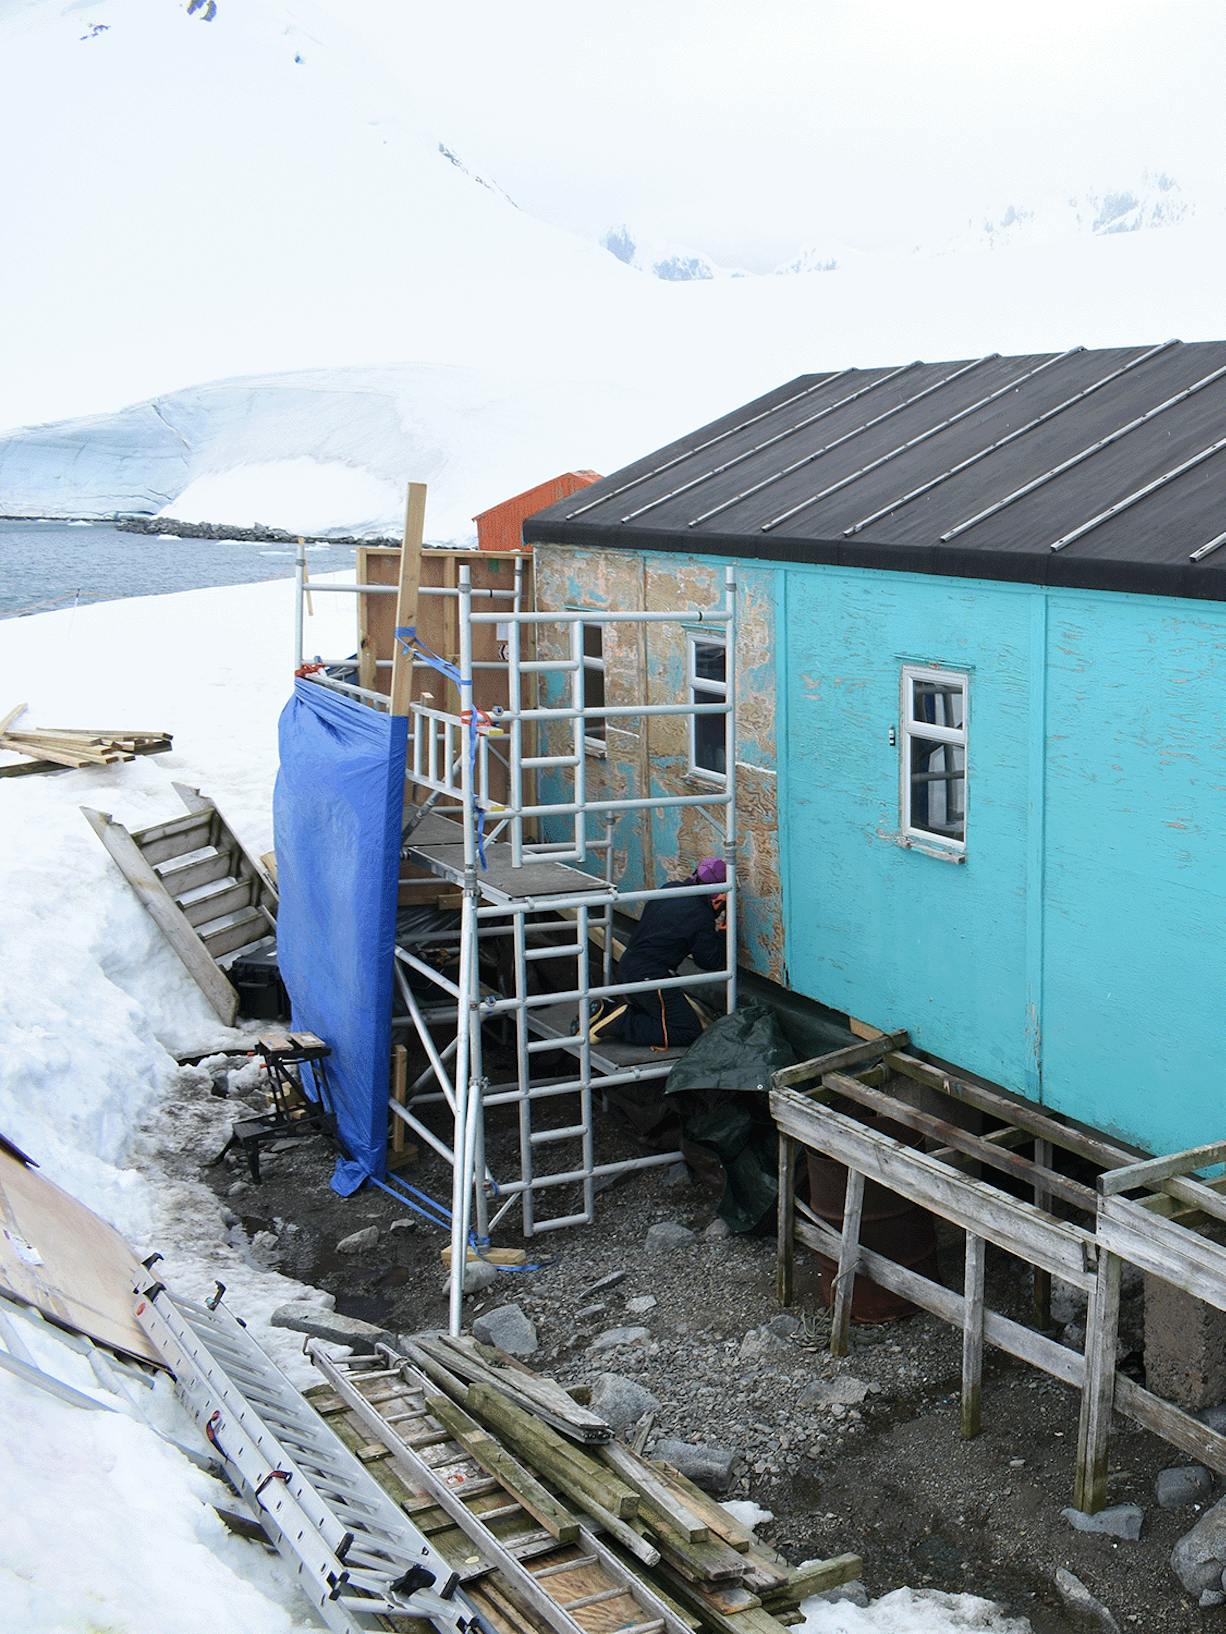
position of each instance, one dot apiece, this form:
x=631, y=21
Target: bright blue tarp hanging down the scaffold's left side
x=338, y=821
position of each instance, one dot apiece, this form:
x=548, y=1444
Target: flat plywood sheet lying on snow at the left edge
x=61, y=1259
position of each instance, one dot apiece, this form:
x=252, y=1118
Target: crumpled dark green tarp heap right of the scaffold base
x=722, y=1083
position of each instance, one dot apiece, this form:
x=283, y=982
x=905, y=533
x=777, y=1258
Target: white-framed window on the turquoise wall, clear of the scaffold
x=933, y=756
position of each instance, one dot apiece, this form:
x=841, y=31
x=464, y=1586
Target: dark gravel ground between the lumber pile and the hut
x=874, y=1463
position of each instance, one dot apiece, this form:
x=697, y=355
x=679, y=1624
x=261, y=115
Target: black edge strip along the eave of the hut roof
x=946, y=561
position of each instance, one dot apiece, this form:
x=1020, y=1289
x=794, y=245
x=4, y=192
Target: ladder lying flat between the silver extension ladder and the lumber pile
x=540, y=1586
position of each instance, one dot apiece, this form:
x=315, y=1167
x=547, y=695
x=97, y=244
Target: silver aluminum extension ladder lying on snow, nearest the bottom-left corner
x=356, y=1555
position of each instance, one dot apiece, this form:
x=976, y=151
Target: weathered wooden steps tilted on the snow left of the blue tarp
x=200, y=886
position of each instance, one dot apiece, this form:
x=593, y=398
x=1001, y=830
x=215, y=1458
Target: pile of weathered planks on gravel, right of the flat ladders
x=679, y=1538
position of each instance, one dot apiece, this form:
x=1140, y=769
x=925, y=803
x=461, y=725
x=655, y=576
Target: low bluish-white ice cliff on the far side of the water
x=331, y=450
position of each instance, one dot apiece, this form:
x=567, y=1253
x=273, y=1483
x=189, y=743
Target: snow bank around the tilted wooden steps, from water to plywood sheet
x=92, y=999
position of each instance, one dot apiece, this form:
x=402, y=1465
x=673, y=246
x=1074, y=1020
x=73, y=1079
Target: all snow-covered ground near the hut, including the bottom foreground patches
x=109, y=1527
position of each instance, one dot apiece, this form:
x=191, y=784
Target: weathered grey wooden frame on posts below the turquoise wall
x=1155, y=1233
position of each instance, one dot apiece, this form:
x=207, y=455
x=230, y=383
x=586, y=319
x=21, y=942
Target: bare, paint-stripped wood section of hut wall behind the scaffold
x=648, y=664
